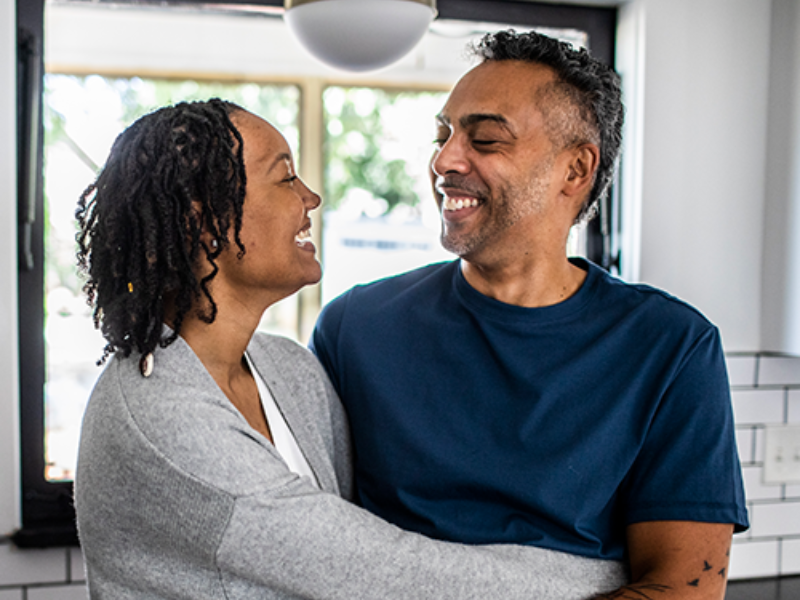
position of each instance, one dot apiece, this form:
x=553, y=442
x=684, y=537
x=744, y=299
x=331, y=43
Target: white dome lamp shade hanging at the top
x=359, y=35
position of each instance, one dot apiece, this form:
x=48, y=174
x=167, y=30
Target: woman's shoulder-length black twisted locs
x=170, y=176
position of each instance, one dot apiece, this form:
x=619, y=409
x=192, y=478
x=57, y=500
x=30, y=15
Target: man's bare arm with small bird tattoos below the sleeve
x=676, y=559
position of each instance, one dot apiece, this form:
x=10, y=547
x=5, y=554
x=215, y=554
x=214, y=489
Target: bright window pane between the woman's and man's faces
x=380, y=217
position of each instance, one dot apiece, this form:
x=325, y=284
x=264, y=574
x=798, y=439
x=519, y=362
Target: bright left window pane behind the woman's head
x=83, y=115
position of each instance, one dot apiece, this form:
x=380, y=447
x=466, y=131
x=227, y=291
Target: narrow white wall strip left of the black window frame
x=9, y=446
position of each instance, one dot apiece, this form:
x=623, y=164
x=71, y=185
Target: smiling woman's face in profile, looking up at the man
x=276, y=228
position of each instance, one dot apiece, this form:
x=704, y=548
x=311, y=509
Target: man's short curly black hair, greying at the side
x=583, y=81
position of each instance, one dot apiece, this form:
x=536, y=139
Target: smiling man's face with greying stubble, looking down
x=493, y=167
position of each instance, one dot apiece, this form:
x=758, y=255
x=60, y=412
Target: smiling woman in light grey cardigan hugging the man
x=213, y=460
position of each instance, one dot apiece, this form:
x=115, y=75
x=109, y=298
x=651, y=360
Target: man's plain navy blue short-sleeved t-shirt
x=481, y=422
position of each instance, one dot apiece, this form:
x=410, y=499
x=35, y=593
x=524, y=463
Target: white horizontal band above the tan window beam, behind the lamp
x=183, y=42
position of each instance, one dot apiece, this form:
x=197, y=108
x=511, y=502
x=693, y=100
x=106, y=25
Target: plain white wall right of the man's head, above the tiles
x=703, y=143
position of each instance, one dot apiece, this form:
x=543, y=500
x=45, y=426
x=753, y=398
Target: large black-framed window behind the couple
x=364, y=142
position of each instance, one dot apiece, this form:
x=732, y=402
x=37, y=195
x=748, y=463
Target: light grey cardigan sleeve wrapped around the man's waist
x=317, y=546
